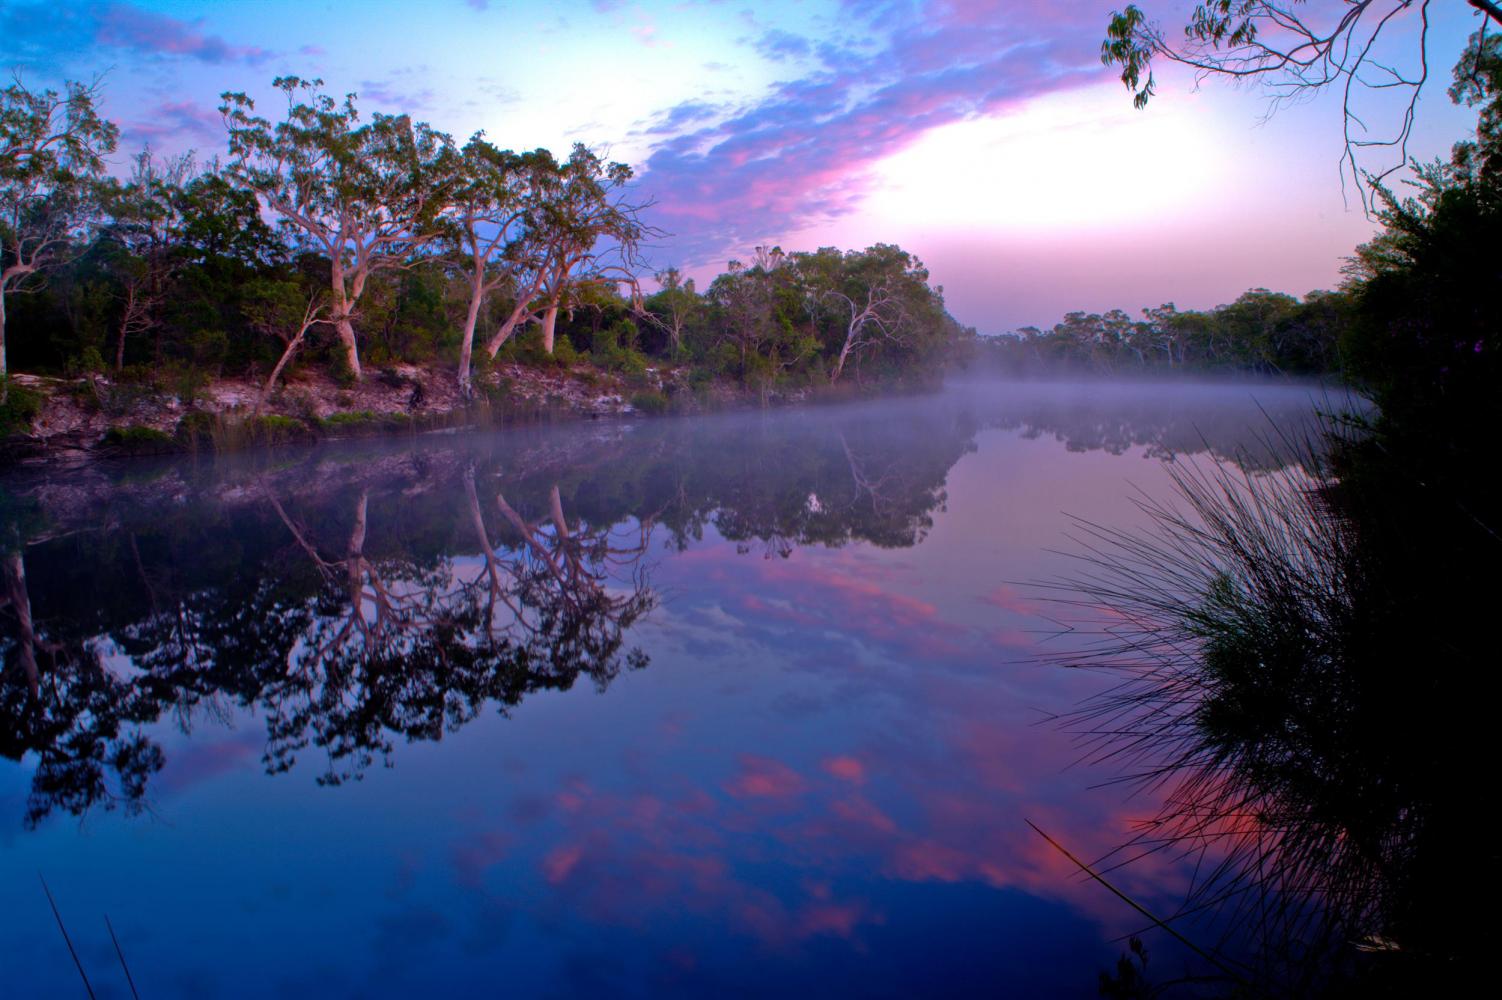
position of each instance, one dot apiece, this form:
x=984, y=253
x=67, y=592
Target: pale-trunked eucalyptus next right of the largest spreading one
x=490, y=214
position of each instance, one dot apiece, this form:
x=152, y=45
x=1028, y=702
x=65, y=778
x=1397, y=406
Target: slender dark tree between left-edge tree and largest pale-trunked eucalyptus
x=148, y=221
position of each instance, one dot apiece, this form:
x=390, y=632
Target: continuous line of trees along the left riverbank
x=327, y=239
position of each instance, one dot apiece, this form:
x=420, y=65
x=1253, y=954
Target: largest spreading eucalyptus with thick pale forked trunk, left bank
x=366, y=196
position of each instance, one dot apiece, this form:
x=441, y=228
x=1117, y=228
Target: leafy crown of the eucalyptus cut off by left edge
x=52, y=152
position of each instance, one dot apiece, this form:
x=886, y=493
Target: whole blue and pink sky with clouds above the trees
x=985, y=136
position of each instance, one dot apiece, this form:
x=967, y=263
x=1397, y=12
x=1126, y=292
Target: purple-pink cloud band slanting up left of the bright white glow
x=804, y=155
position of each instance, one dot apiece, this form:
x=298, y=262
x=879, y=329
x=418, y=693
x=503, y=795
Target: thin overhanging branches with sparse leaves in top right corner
x=1294, y=53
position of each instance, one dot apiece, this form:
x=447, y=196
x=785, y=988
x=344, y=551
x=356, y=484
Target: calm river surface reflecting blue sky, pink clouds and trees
x=743, y=705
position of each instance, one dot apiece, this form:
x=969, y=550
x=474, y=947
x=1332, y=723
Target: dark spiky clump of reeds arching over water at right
x=1258, y=691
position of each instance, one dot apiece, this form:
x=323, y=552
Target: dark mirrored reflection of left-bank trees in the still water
x=376, y=595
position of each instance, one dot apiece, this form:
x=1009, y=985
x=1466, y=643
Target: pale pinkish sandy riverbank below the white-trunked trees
x=94, y=417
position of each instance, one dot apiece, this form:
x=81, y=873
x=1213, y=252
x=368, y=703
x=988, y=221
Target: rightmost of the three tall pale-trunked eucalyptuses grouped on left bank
x=587, y=232
